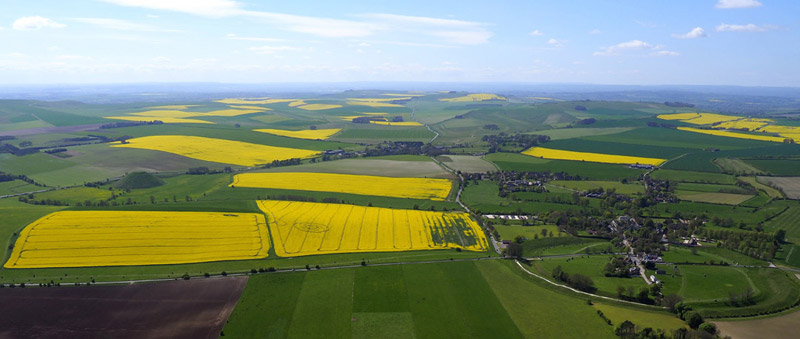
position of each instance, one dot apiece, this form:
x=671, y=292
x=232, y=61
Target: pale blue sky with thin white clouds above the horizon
x=642, y=42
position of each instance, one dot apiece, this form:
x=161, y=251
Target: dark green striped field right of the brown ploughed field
x=390, y=300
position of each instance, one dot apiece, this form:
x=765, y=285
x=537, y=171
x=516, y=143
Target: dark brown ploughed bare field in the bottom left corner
x=196, y=308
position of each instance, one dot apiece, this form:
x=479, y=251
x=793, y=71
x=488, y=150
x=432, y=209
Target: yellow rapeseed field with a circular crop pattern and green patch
x=305, y=228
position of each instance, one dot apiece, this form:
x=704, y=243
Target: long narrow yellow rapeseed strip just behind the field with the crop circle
x=414, y=188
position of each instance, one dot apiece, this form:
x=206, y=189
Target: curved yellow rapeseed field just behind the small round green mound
x=217, y=150
